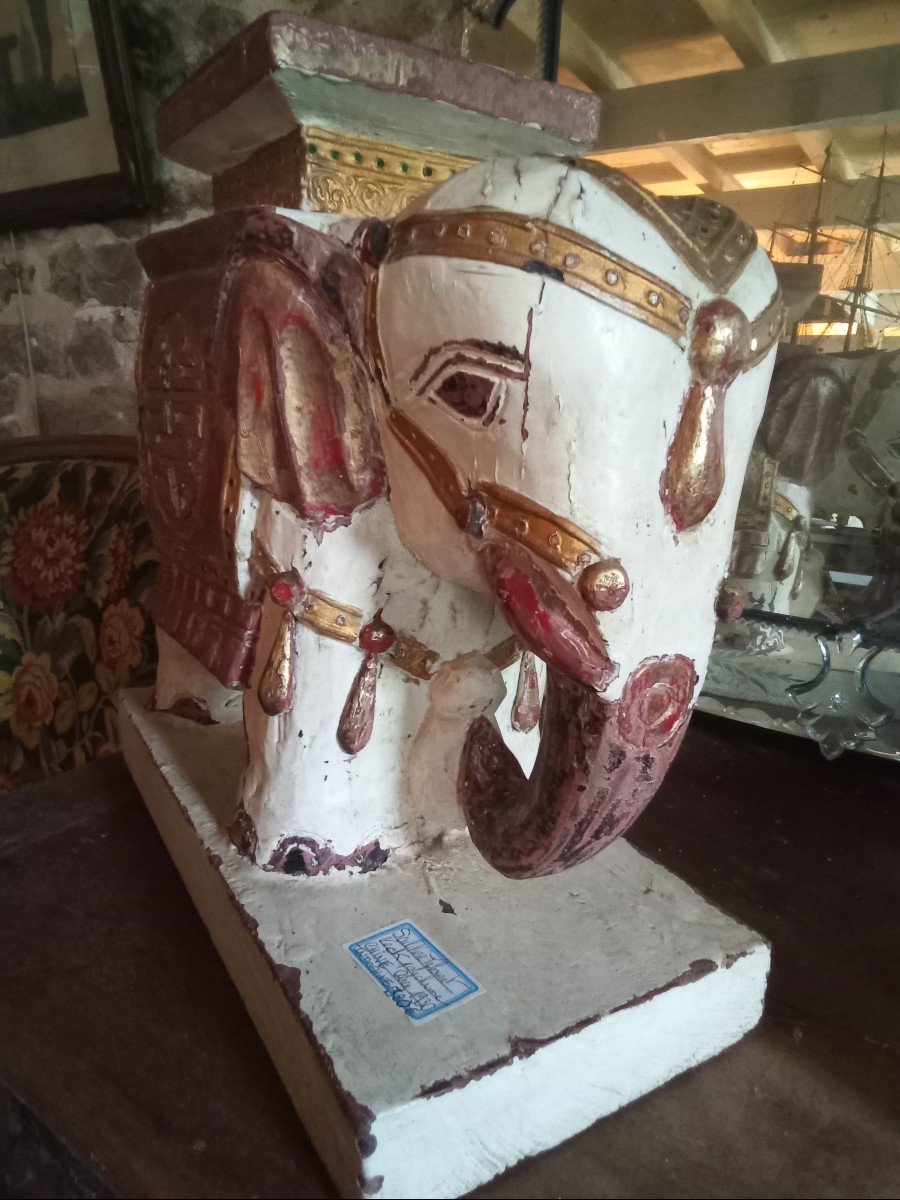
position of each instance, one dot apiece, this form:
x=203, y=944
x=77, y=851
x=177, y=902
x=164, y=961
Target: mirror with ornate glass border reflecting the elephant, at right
x=817, y=557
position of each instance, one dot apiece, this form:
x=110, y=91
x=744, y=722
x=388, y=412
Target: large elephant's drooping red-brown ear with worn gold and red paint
x=291, y=341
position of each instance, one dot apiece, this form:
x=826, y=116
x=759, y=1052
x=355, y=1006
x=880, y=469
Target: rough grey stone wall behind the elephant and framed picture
x=70, y=298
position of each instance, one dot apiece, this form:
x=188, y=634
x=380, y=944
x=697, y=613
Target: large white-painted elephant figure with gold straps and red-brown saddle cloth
x=393, y=472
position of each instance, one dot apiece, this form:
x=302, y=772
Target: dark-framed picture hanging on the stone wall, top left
x=70, y=142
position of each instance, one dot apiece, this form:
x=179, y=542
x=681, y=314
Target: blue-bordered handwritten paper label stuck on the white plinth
x=411, y=969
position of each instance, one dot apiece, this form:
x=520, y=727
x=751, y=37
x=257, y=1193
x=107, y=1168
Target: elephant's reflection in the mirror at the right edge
x=827, y=455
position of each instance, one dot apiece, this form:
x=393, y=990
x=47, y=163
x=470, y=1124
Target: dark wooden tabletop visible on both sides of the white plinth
x=140, y=1073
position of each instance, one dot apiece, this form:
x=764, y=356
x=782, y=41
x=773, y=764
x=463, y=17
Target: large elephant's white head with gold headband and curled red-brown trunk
x=574, y=375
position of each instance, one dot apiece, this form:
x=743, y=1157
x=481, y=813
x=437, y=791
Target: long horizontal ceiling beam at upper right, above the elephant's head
x=856, y=88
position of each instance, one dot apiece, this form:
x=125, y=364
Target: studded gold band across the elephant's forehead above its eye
x=531, y=244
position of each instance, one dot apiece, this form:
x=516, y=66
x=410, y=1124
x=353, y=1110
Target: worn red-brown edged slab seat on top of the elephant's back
x=285, y=70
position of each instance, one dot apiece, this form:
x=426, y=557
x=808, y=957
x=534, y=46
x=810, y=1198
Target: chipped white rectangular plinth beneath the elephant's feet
x=599, y=985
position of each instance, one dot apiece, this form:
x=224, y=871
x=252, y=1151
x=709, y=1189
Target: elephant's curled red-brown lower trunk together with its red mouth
x=601, y=761
